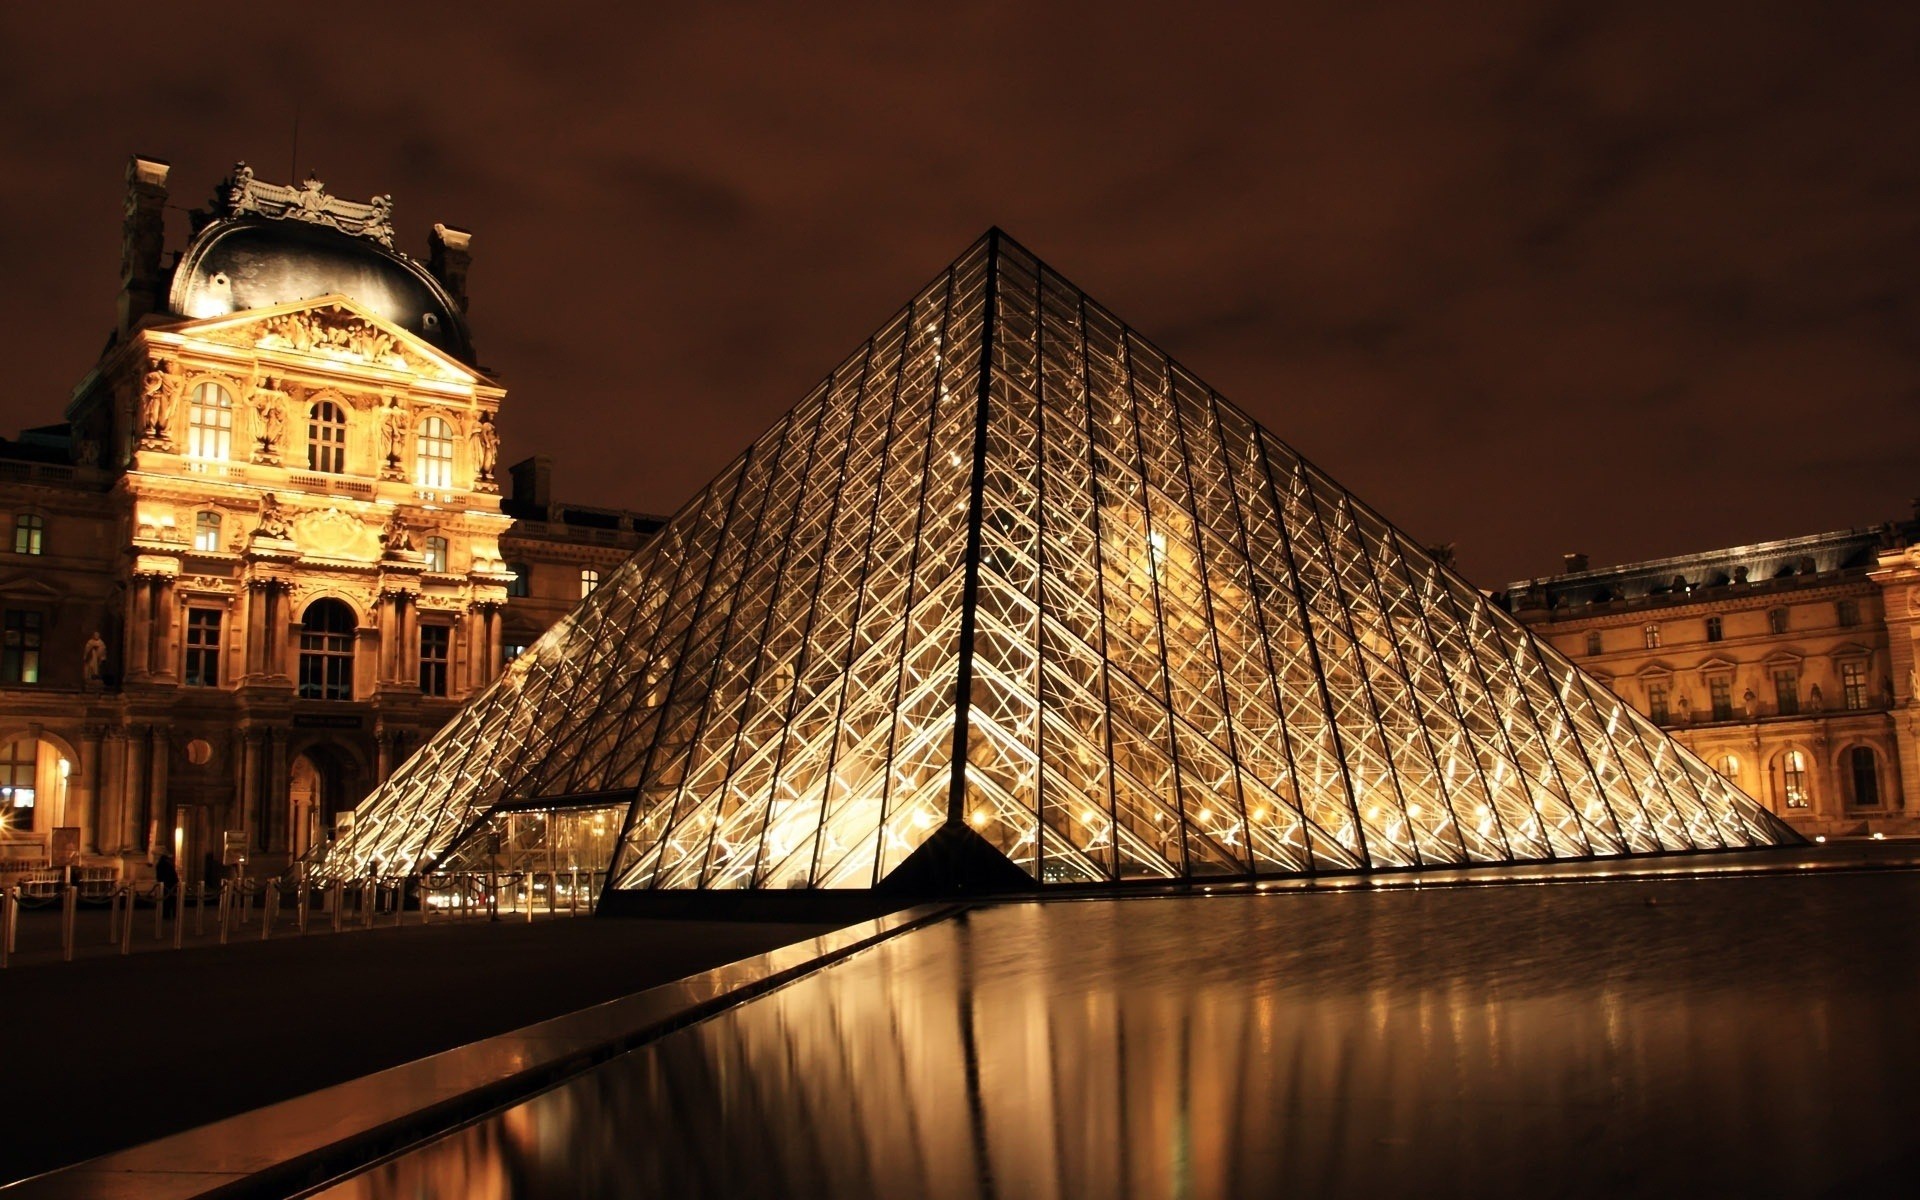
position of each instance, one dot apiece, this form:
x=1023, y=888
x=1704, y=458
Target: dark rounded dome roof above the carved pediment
x=256, y=262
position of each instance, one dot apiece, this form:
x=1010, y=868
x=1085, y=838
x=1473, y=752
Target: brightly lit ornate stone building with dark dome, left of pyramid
x=266, y=556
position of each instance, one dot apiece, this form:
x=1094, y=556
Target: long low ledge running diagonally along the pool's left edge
x=300, y=1143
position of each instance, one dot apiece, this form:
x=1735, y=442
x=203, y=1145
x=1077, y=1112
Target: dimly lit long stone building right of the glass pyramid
x=1787, y=665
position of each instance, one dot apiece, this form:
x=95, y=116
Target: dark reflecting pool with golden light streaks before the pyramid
x=1737, y=1036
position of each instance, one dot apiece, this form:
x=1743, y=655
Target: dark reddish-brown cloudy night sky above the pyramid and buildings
x=1525, y=277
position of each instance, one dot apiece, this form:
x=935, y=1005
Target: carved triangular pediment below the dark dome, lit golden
x=335, y=329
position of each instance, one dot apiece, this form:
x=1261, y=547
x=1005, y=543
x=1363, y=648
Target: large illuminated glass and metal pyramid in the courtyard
x=1013, y=579
